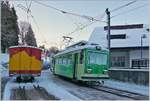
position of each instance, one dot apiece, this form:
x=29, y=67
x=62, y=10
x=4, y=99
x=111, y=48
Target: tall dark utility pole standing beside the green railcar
x=108, y=34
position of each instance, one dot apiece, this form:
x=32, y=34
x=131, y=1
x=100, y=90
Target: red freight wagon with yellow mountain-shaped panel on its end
x=25, y=62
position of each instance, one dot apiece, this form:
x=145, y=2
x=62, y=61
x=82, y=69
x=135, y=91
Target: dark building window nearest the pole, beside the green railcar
x=118, y=61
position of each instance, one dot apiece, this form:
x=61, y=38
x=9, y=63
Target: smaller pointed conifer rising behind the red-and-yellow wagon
x=30, y=38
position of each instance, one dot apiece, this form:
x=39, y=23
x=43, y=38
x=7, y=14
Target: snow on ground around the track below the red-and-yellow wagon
x=44, y=81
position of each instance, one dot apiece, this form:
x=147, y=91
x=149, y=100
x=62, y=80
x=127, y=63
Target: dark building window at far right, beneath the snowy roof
x=140, y=63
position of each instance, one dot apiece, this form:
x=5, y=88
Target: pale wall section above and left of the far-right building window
x=136, y=54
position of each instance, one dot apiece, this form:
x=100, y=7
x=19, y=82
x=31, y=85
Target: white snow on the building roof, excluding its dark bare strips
x=133, y=37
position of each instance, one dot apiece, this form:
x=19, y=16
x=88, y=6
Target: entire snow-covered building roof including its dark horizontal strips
x=123, y=36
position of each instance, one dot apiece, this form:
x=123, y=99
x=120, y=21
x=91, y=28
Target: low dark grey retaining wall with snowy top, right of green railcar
x=137, y=76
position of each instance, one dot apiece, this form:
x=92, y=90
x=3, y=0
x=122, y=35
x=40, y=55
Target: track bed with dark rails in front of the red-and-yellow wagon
x=34, y=93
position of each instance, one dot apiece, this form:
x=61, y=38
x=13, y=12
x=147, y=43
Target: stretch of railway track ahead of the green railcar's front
x=122, y=93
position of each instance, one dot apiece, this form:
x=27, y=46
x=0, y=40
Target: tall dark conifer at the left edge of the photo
x=9, y=26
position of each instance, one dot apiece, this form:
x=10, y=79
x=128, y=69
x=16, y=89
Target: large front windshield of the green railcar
x=97, y=58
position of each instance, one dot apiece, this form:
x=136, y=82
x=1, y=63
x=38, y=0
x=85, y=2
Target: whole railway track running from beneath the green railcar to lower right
x=114, y=91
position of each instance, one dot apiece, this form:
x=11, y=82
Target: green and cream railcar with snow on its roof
x=85, y=63
